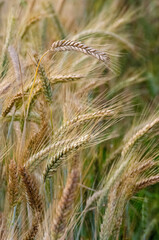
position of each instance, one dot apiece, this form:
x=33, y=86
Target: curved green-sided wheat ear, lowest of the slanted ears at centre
x=56, y=160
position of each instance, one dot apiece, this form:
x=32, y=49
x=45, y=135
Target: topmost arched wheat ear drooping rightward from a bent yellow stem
x=69, y=45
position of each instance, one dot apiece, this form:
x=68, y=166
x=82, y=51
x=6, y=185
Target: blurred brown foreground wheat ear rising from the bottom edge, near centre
x=65, y=204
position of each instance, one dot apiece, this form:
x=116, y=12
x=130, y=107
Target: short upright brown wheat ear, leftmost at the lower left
x=13, y=183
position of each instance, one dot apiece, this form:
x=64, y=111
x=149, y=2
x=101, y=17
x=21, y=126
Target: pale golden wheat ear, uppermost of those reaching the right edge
x=138, y=135
